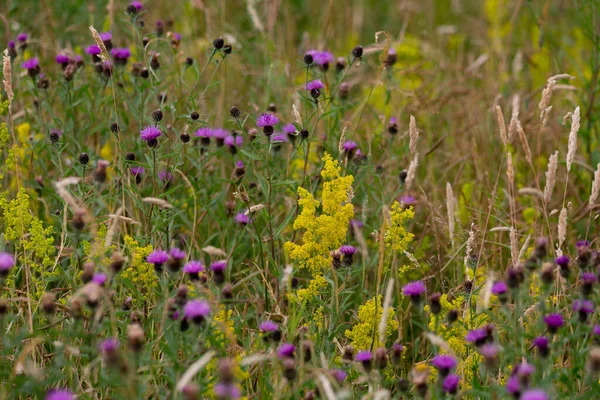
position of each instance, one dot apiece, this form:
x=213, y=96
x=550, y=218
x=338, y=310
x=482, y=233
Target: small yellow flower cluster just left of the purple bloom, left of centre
x=139, y=272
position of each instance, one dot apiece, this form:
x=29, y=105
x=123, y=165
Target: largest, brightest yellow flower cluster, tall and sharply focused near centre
x=325, y=232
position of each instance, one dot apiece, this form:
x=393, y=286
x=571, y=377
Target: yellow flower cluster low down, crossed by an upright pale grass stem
x=365, y=331
